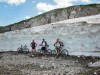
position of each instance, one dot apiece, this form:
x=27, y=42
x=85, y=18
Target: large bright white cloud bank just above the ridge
x=42, y=6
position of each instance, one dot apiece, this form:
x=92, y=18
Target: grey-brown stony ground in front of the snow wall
x=13, y=63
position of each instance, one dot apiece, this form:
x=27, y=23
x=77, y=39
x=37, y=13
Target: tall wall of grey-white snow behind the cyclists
x=79, y=36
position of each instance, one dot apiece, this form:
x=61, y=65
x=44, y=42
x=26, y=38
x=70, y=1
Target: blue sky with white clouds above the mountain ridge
x=12, y=11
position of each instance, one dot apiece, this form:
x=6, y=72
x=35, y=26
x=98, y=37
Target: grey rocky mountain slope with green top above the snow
x=54, y=16
